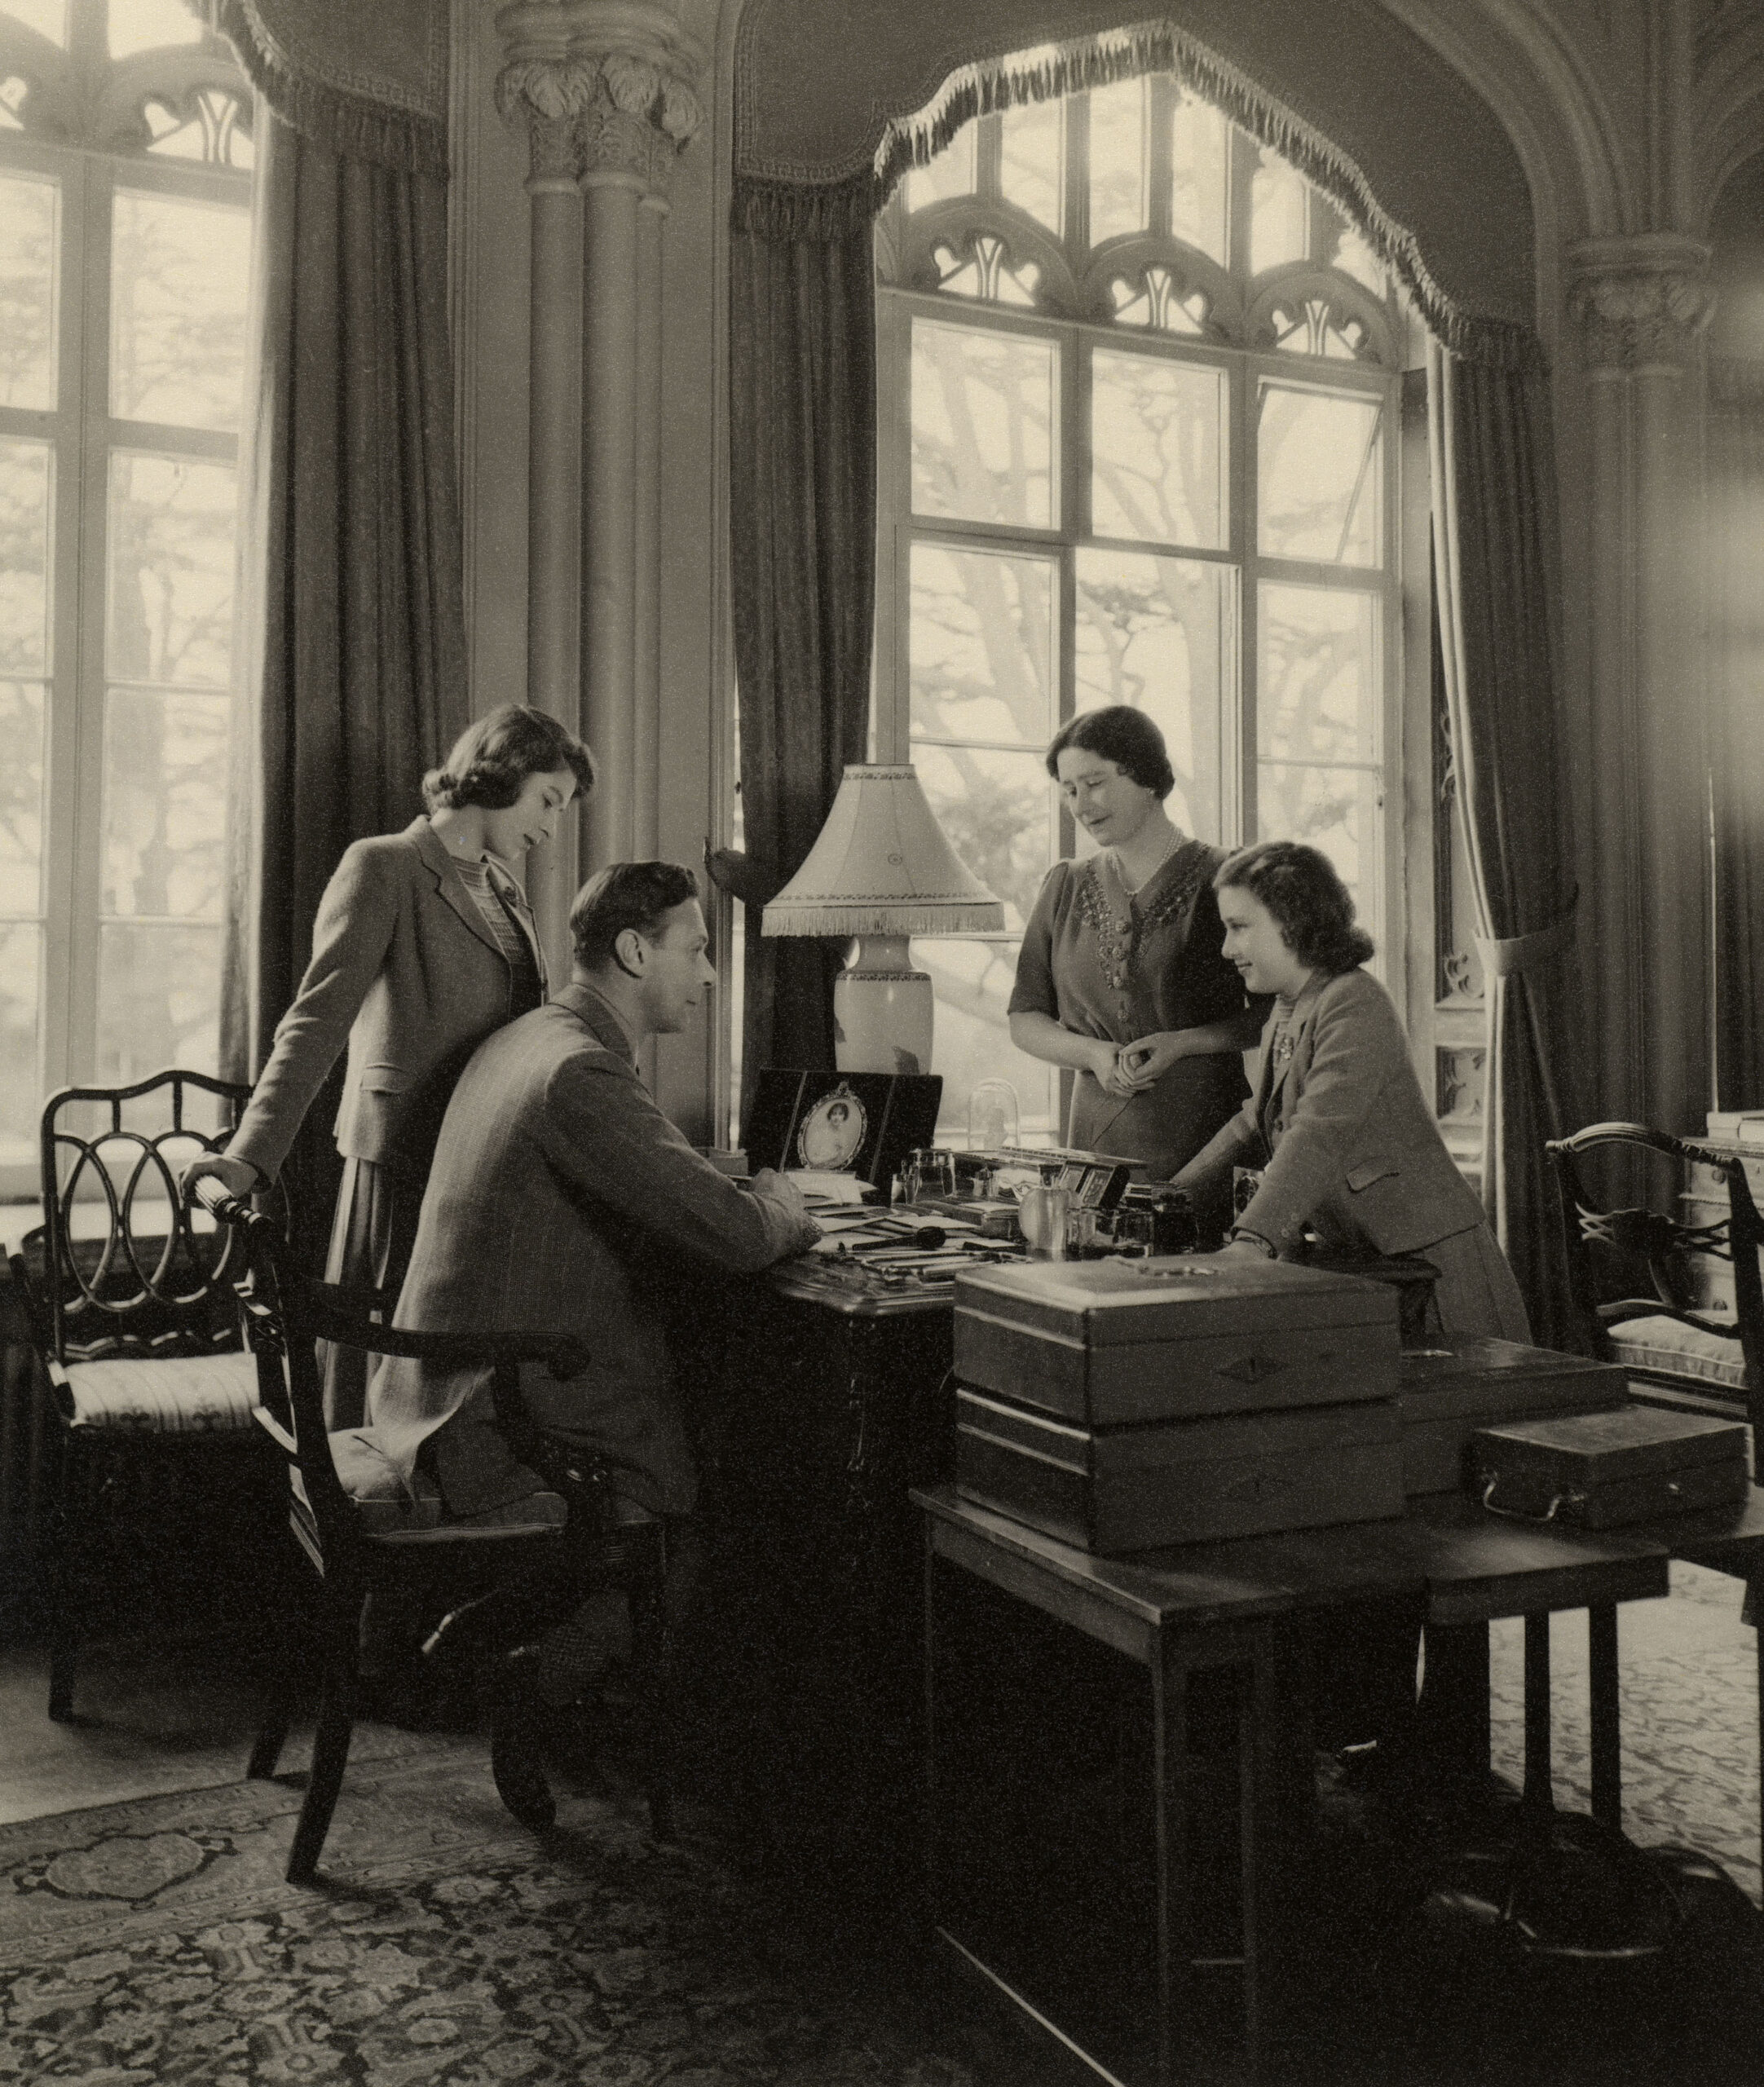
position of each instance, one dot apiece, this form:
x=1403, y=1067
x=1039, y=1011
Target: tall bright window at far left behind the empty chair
x=124, y=243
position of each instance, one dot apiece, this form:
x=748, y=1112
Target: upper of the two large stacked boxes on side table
x=1122, y=1343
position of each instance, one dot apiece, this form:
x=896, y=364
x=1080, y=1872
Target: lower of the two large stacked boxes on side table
x=1178, y=1483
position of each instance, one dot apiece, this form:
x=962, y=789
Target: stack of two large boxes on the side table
x=1124, y=1406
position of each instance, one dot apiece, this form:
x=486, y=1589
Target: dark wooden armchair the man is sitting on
x=366, y=1535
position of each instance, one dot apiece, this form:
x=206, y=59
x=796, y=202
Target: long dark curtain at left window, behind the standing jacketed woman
x=352, y=625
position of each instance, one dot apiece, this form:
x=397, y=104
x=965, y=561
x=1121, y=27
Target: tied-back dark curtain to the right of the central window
x=1494, y=537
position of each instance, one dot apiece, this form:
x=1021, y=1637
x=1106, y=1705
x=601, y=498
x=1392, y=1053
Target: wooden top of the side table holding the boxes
x=1446, y=1552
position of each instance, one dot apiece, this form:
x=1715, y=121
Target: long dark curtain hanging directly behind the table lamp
x=803, y=556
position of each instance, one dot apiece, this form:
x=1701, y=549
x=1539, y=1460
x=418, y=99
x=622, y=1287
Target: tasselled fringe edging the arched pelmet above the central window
x=834, y=210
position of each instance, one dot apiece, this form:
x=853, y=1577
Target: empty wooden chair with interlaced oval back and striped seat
x=133, y=1310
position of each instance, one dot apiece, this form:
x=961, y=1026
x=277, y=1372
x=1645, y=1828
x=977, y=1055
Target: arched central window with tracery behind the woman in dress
x=1139, y=443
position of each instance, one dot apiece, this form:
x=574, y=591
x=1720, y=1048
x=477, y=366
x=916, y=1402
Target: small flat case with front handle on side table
x=1600, y=1470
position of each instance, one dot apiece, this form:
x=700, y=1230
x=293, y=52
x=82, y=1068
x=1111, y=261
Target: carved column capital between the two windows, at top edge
x=619, y=74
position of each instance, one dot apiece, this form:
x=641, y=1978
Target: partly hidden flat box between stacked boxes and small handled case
x=1452, y=1391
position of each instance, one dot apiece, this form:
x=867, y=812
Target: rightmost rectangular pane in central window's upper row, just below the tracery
x=1318, y=475
